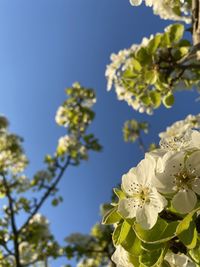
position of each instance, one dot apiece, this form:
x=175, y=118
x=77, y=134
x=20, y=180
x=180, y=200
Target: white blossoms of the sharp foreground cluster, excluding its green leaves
x=167, y=179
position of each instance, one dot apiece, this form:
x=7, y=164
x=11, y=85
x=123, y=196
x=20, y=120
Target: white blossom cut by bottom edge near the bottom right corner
x=177, y=260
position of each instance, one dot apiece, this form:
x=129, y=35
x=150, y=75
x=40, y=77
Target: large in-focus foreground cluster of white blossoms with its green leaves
x=166, y=181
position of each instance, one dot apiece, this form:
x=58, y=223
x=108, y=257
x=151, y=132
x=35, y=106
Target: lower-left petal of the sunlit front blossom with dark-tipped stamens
x=127, y=207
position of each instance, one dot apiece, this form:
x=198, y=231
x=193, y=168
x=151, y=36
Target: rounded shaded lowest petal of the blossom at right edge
x=184, y=201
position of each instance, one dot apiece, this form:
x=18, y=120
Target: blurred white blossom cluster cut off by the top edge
x=178, y=10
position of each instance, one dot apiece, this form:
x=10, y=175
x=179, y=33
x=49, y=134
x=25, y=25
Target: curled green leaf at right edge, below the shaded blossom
x=186, y=231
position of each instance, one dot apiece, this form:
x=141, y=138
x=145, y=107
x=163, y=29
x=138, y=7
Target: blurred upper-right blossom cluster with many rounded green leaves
x=147, y=74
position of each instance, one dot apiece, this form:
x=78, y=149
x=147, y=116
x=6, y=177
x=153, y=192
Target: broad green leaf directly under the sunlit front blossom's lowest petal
x=161, y=232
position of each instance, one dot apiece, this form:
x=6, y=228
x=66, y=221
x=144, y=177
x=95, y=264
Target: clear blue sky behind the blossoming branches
x=46, y=45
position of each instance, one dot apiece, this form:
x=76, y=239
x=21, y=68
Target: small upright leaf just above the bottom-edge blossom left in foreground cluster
x=120, y=233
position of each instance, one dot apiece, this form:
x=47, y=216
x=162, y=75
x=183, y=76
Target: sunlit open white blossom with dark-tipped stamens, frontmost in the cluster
x=142, y=201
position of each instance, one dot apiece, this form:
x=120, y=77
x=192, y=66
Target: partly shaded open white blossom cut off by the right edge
x=179, y=175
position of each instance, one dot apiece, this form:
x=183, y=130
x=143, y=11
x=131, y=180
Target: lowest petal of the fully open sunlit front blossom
x=146, y=216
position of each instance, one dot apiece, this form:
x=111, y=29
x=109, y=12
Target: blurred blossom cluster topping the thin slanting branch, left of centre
x=76, y=115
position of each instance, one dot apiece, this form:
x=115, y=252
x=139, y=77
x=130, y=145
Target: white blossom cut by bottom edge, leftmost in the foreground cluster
x=121, y=257
